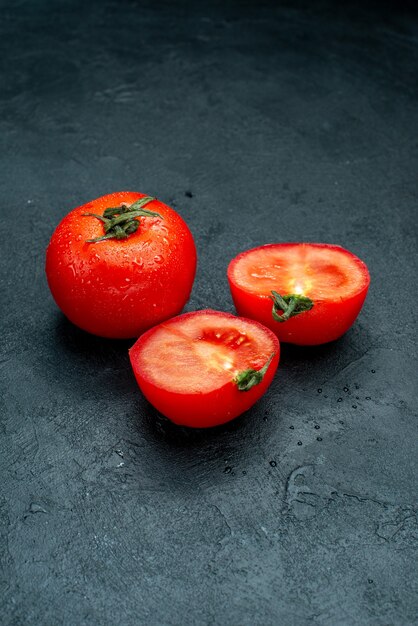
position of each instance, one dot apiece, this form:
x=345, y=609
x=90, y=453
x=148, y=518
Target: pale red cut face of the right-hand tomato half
x=320, y=271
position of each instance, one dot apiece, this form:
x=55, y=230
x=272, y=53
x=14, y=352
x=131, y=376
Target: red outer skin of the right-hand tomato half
x=325, y=322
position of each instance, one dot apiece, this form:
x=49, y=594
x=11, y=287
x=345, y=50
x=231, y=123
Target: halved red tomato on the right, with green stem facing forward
x=317, y=289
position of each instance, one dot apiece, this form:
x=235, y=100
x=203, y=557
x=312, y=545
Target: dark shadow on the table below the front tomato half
x=192, y=459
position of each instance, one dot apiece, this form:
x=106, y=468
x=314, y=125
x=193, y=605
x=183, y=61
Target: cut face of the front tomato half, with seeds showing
x=202, y=351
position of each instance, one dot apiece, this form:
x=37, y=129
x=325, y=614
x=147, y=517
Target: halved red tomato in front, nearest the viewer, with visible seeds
x=204, y=368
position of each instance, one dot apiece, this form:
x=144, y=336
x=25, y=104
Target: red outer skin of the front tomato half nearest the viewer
x=201, y=410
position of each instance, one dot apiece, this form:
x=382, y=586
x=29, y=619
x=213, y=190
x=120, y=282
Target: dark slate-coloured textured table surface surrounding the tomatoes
x=257, y=123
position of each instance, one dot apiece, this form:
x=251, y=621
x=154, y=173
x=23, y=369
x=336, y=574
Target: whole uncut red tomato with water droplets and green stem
x=117, y=273
